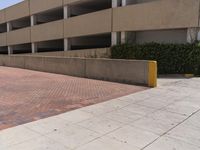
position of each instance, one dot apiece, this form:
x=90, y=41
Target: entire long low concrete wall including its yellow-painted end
x=124, y=71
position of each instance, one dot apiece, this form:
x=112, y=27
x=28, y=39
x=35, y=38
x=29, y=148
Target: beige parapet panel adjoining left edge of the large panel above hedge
x=88, y=24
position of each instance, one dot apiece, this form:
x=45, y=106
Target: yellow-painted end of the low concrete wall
x=153, y=71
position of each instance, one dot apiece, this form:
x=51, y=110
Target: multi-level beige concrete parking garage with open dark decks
x=49, y=25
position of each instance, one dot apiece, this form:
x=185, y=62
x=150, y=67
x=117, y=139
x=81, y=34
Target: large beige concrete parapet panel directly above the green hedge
x=162, y=14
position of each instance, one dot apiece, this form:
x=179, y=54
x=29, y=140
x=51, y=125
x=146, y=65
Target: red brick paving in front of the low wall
x=27, y=96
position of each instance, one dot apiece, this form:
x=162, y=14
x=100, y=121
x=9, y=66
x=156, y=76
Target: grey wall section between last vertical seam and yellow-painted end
x=126, y=71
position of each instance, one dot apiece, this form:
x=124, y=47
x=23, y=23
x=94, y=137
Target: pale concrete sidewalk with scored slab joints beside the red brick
x=164, y=118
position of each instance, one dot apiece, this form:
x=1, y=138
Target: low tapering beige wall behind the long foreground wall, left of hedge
x=86, y=53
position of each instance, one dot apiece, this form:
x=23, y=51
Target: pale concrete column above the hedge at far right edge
x=193, y=35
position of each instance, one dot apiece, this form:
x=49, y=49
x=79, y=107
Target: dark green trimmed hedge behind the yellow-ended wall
x=171, y=58
